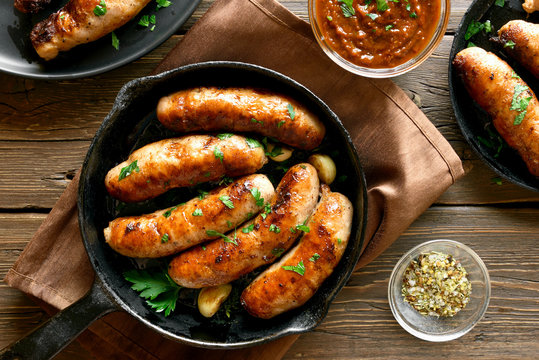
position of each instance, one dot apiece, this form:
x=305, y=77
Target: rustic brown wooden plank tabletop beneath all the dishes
x=46, y=128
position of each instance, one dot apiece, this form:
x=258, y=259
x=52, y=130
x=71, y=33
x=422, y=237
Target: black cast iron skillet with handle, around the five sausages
x=131, y=123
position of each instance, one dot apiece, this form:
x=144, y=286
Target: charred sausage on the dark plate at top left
x=76, y=23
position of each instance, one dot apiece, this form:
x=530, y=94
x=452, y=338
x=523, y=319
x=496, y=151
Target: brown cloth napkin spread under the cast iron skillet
x=408, y=165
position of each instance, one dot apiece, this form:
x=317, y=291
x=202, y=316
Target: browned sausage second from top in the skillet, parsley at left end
x=166, y=164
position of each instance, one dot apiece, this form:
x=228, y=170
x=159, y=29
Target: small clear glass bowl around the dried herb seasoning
x=432, y=328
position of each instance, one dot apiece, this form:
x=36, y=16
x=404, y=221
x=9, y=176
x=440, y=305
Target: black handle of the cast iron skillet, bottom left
x=56, y=333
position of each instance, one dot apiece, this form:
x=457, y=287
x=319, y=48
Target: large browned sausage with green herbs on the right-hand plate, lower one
x=492, y=83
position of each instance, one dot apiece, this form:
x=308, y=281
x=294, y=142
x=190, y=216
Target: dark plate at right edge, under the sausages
x=474, y=123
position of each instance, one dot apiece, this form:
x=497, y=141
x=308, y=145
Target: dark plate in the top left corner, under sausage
x=18, y=57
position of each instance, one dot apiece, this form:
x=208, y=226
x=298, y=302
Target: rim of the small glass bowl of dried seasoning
x=404, y=259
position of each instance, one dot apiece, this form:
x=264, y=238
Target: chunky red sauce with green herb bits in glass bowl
x=378, y=39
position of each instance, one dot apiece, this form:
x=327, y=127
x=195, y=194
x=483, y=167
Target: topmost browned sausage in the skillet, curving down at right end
x=243, y=110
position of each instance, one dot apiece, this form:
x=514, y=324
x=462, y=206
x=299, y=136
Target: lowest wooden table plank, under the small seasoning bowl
x=360, y=323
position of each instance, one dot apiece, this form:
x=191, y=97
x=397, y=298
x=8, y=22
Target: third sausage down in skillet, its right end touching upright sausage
x=172, y=230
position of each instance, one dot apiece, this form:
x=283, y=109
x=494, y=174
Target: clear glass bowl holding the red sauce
x=382, y=72
